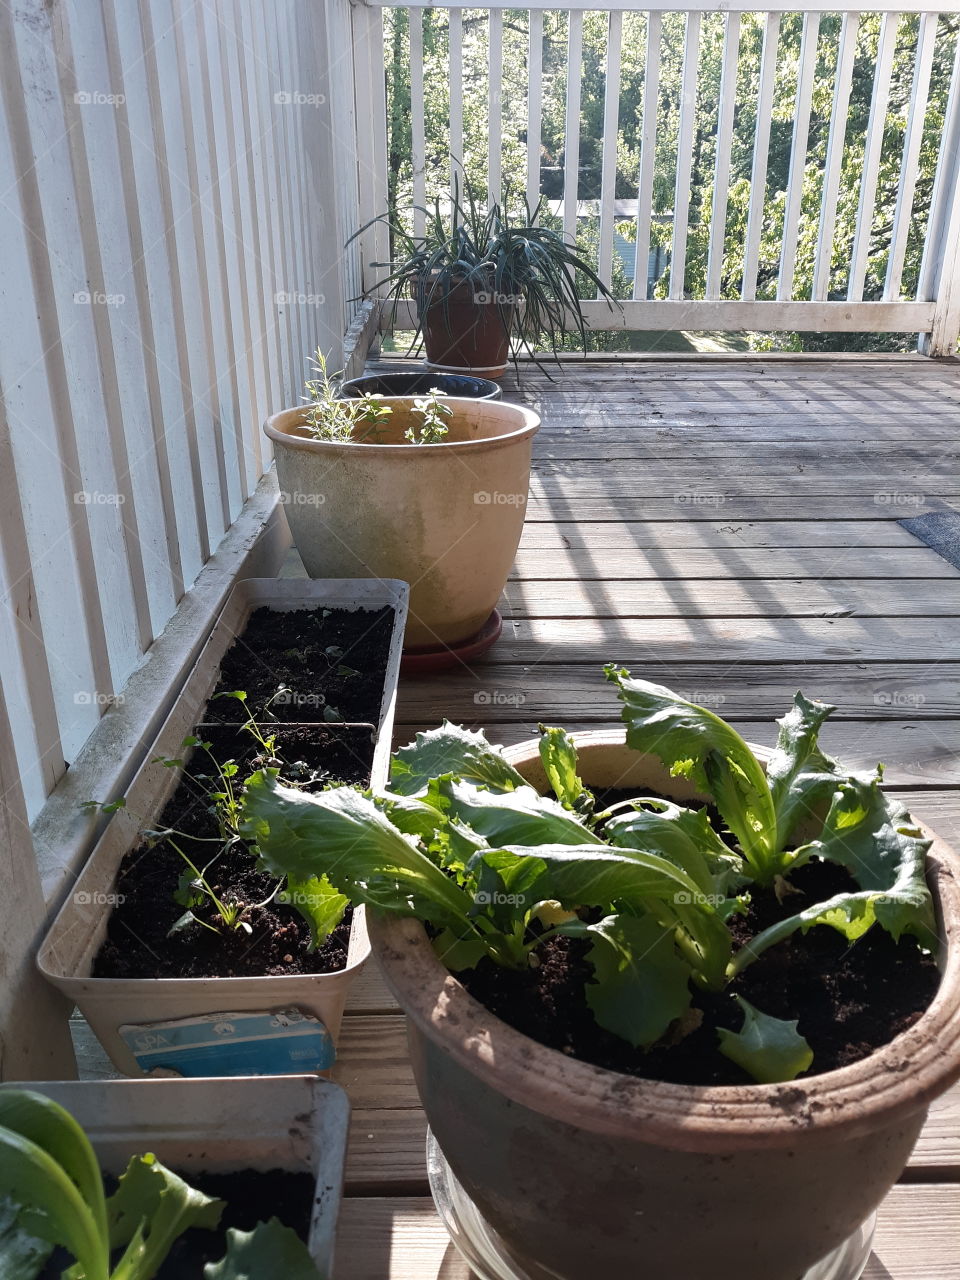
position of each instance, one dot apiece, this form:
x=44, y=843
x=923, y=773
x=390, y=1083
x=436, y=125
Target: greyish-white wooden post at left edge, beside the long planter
x=35, y=1036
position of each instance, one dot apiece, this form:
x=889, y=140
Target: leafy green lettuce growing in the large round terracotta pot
x=463, y=843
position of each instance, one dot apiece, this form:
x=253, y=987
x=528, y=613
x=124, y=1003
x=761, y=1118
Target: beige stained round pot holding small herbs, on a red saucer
x=445, y=518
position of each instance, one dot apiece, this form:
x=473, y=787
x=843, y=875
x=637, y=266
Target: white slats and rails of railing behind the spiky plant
x=930, y=304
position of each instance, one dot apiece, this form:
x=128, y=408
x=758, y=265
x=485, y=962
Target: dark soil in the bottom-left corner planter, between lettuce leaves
x=252, y=1197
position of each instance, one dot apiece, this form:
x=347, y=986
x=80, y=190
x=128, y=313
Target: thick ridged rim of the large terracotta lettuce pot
x=897, y=1081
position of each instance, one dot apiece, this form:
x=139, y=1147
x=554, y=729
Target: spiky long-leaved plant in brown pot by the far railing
x=486, y=276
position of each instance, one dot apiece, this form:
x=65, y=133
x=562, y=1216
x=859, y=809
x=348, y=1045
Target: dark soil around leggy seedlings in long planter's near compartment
x=138, y=943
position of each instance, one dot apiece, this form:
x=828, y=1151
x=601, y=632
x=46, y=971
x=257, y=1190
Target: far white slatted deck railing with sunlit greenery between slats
x=834, y=295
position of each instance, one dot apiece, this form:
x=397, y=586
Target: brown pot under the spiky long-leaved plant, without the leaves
x=468, y=331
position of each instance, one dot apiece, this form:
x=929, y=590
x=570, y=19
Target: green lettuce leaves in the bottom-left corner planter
x=52, y=1194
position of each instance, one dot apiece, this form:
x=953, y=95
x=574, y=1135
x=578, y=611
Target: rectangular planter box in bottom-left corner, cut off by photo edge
x=295, y=1123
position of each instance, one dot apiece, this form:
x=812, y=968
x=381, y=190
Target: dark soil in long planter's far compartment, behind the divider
x=332, y=662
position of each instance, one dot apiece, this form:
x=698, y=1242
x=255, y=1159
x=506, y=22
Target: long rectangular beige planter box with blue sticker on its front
x=79, y=931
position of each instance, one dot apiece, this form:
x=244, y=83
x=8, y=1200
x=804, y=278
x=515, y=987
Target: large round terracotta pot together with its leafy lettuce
x=620, y=936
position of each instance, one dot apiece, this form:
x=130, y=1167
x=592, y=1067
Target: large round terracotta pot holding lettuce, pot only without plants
x=589, y=1174
